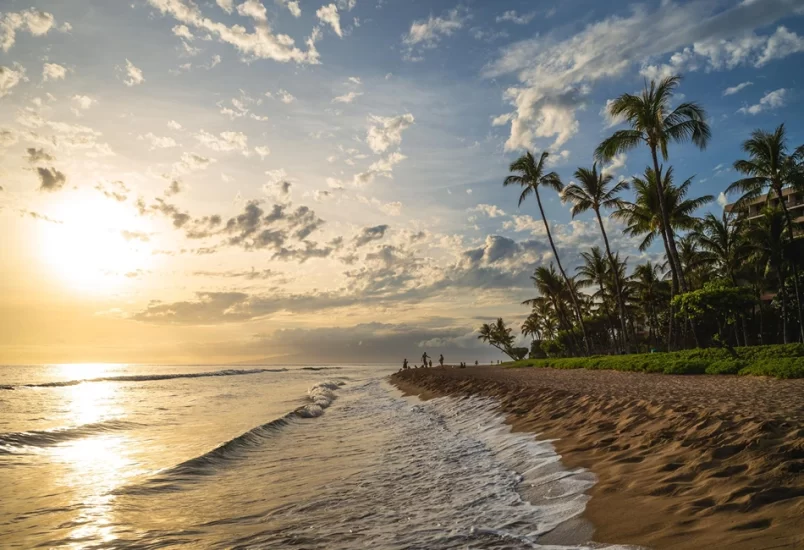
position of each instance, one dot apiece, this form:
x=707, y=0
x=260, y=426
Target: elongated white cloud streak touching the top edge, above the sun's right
x=260, y=44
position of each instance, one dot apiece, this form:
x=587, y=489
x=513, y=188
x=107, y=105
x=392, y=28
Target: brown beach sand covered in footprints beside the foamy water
x=683, y=462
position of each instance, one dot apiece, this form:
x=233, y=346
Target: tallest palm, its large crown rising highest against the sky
x=654, y=123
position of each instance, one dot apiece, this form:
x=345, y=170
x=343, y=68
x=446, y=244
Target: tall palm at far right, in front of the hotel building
x=770, y=168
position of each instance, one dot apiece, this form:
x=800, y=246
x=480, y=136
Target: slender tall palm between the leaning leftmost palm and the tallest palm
x=593, y=193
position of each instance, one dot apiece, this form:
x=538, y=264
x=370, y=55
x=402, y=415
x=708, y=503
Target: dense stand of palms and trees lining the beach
x=729, y=280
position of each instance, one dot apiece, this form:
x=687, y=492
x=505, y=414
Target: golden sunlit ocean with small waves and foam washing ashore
x=123, y=456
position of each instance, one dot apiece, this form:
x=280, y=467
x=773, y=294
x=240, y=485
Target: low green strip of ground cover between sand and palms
x=782, y=361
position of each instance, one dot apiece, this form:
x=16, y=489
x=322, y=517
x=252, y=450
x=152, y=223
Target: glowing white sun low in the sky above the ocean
x=98, y=245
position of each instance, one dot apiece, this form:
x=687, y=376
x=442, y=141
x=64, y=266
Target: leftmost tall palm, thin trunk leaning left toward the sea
x=530, y=175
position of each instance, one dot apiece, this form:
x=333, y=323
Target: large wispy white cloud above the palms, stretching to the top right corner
x=555, y=73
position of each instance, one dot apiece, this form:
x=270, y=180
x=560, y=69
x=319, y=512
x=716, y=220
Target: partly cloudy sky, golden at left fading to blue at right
x=315, y=181
